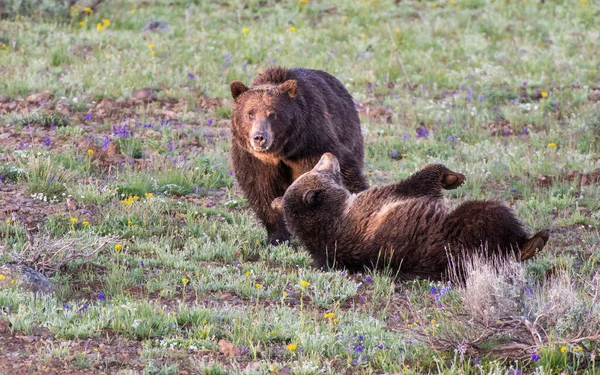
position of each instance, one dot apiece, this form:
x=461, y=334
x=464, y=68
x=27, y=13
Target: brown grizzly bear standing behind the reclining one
x=281, y=126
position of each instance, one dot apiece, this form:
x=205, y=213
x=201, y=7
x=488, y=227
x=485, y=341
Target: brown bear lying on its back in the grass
x=405, y=226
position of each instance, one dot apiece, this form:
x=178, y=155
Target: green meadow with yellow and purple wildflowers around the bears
x=130, y=207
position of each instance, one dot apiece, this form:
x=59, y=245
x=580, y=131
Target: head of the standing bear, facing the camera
x=262, y=115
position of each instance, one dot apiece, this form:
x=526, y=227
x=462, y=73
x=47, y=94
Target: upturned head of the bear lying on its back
x=314, y=198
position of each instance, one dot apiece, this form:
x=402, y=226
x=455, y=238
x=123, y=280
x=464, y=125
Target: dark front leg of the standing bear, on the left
x=261, y=184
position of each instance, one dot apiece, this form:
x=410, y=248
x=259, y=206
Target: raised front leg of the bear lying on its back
x=429, y=181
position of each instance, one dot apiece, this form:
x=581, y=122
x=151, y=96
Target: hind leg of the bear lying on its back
x=493, y=226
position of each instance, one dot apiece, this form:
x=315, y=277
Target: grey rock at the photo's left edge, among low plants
x=25, y=277
